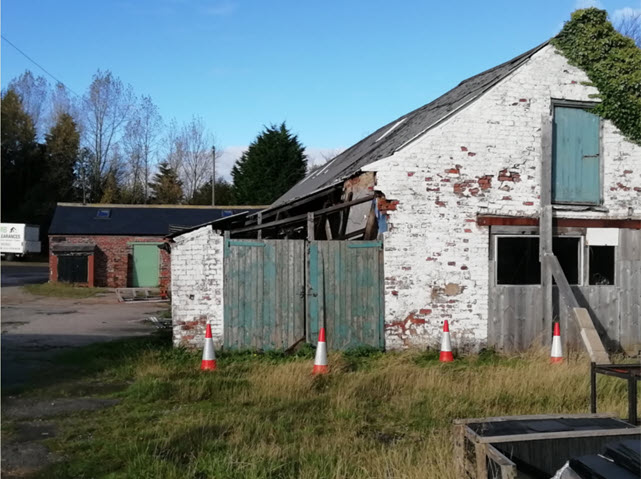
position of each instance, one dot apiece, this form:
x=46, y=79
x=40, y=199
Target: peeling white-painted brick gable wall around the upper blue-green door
x=438, y=182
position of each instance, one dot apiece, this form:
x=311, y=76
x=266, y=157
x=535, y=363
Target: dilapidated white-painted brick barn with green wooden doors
x=502, y=206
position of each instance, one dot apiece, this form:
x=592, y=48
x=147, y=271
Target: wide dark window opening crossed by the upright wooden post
x=517, y=259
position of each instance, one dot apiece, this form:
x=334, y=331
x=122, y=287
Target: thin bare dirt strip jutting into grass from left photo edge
x=32, y=409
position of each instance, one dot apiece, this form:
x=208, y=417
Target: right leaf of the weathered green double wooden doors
x=345, y=293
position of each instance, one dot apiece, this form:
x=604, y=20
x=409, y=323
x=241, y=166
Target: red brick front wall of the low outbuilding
x=113, y=259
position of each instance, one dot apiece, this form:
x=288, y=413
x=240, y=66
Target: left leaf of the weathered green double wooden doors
x=264, y=300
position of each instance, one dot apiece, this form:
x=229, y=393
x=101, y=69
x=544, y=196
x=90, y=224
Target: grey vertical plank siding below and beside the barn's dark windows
x=516, y=320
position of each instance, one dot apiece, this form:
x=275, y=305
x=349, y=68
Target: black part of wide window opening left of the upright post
x=517, y=260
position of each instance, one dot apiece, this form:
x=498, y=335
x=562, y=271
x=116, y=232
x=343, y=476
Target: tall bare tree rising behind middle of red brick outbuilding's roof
x=107, y=106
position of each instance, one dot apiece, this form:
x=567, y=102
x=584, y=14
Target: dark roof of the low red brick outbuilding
x=138, y=220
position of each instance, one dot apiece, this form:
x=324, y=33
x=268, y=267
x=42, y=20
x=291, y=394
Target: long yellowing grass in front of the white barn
x=265, y=416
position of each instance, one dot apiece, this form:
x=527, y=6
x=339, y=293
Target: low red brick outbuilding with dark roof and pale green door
x=119, y=246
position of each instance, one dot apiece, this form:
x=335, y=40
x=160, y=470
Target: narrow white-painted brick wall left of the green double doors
x=197, y=287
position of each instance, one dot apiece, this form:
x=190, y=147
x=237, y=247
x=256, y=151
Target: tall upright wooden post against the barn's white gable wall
x=545, y=227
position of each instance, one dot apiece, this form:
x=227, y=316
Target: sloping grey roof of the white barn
x=396, y=134
